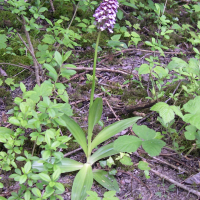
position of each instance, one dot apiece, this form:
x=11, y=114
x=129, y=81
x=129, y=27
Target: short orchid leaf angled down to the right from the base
x=106, y=180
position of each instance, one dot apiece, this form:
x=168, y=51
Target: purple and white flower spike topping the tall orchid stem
x=105, y=15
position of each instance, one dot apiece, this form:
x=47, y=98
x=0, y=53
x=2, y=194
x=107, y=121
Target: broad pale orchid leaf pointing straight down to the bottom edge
x=82, y=183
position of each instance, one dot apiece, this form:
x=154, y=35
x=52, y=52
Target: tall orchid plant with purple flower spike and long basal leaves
x=105, y=19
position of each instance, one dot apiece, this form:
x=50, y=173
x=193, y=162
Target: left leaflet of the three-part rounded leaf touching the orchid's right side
x=127, y=143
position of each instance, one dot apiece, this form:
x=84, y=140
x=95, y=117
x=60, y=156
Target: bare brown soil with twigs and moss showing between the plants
x=132, y=182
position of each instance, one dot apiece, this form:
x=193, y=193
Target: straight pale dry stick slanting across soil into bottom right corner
x=176, y=183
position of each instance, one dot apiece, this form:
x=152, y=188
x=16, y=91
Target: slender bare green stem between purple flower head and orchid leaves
x=94, y=69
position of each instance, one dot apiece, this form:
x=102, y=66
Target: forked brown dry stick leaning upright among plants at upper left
x=31, y=50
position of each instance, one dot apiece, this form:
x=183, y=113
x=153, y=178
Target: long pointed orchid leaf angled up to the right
x=113, y=129
